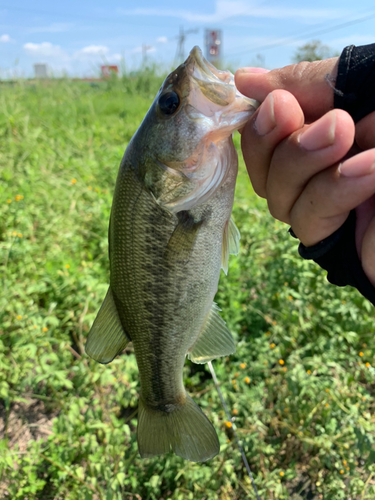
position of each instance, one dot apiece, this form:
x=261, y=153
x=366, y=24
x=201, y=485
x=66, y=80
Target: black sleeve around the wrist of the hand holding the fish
x=355, y=93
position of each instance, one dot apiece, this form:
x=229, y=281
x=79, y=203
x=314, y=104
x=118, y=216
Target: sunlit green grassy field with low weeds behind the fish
x=300, y=385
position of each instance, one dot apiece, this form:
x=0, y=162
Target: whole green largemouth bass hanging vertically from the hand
x=170, y=233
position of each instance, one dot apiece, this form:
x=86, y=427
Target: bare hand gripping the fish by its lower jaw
x=301, y=155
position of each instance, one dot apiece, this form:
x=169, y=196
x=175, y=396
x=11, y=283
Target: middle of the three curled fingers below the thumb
x=302, y=155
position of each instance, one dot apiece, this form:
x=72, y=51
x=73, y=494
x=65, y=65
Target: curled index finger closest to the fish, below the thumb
x=279, y=116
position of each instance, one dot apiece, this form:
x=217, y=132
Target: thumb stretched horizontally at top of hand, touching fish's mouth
x=310, y=82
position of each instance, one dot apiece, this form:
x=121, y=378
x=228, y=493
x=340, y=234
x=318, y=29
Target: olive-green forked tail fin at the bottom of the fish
x=185, y=429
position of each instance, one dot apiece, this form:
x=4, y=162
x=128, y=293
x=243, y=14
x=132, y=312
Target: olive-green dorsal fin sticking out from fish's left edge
x=106, y=338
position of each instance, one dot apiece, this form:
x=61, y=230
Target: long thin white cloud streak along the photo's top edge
x=225, y=9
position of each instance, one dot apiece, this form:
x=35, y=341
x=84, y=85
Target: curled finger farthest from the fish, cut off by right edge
x=326, y=201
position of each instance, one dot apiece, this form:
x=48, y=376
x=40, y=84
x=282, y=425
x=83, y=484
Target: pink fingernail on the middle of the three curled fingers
x=320, y=134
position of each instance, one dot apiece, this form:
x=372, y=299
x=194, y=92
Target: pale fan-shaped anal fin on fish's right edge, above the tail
x=214, y=341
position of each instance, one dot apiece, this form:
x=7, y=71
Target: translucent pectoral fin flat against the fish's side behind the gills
x=183, y=237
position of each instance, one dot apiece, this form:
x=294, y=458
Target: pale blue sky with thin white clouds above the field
x=76, y=37
